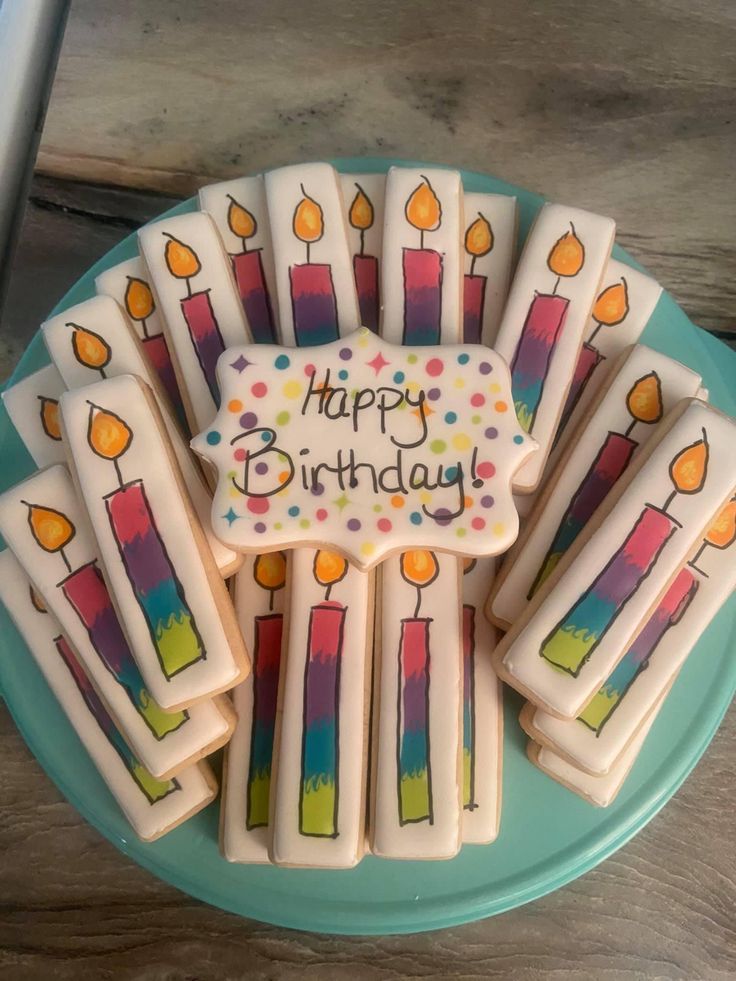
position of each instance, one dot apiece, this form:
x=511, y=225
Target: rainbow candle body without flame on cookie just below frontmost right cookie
x=669, y=612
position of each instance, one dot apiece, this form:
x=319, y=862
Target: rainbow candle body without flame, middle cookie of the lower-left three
x=86, y=592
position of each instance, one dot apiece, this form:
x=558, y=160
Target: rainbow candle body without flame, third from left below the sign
x=415, y=776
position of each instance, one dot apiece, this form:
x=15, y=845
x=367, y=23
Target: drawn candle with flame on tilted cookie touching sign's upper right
x=541, y=330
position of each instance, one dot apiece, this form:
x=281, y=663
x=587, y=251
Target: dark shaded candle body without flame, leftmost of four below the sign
x=266, y=661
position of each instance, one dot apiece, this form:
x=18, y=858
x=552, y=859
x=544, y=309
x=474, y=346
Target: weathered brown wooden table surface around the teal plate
x=622, y=107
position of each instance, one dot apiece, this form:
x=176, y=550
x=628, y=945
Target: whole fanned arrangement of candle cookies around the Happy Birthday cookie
x=322, y=467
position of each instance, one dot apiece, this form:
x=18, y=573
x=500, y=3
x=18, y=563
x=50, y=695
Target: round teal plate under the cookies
x=548, y=835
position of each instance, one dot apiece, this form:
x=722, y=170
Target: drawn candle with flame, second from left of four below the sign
x=319, y=799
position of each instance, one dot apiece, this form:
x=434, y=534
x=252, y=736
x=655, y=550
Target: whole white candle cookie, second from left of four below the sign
x=319, y=796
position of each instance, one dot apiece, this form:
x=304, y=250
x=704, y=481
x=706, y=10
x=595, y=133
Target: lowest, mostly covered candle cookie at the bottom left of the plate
x=152, y=806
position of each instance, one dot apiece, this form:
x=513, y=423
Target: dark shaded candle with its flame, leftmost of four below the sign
x=269, y=572
